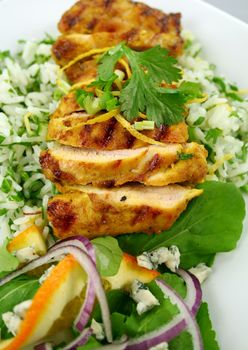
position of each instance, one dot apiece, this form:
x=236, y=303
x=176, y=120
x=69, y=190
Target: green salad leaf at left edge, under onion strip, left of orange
x=13, y=293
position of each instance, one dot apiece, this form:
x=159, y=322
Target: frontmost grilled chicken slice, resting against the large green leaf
x=92, y=212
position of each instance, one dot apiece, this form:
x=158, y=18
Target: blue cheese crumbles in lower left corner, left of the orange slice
x=13, y=319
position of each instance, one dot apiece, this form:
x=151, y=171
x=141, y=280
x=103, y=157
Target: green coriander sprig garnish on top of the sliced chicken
x=144, y=92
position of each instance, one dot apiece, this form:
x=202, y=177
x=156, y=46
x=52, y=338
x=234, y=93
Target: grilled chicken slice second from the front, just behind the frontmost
x=152, y=165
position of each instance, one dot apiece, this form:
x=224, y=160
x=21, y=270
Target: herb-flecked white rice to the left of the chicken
x=27, y=85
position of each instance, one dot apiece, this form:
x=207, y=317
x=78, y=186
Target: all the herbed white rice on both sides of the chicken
x=28, y=94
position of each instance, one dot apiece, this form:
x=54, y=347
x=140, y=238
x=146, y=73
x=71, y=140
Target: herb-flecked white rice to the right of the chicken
x=221, y=122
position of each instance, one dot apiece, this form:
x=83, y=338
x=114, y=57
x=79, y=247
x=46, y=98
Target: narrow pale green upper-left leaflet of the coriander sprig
x=108, y=61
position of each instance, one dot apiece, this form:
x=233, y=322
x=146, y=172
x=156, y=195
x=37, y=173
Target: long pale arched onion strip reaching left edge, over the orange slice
x=87, y=264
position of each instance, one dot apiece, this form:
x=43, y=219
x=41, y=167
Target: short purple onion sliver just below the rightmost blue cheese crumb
x=194, y=293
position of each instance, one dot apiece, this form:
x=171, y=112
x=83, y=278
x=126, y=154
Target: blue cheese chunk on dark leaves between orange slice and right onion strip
x=144, y=298
